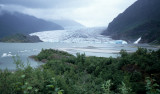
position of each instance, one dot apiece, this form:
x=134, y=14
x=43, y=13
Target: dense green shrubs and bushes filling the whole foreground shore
x=80, y=74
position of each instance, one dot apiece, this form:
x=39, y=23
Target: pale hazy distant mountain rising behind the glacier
x=66, y=23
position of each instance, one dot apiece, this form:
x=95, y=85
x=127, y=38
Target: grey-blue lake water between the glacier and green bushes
x=23, y=50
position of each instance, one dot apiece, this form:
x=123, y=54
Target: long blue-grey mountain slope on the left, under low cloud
x=12, y=23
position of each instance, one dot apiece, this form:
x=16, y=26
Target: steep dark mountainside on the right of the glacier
x=142, y=19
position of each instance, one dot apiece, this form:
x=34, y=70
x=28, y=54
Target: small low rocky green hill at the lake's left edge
x=20, y=38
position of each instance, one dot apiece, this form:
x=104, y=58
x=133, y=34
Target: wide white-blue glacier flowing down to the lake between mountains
x=85, y=35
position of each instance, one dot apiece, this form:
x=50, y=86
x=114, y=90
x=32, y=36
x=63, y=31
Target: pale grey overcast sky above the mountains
x=88, y=12
